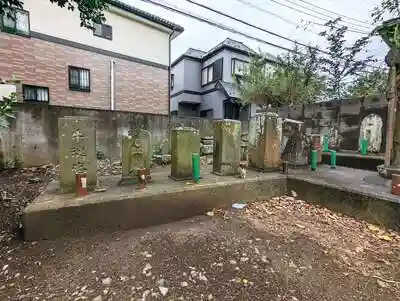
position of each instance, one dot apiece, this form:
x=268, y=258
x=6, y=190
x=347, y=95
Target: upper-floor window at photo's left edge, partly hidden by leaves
x=17, y=23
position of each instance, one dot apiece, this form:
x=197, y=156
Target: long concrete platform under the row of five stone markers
x=52, y=214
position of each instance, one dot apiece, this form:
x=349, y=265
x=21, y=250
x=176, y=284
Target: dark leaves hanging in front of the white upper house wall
x=90, y=11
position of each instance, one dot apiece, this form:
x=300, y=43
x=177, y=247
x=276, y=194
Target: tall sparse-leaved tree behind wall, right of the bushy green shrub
x=342, y=61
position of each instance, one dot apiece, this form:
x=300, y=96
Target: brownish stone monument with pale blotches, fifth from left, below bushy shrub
x=265, y=130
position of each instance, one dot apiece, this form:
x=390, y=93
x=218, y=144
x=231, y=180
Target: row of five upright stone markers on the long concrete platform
x=78, y=163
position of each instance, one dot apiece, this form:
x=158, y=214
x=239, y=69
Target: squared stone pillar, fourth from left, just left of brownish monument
x=227, y=140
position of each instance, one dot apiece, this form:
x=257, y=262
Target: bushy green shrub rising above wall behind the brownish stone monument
x=293, y=79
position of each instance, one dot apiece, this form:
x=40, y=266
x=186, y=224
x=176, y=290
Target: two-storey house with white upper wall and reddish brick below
x=120, y=65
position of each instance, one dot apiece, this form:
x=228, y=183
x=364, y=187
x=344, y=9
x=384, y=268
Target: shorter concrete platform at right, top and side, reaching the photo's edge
x=358, y=193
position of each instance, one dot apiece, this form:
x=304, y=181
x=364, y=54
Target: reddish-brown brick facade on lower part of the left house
x=138, y=87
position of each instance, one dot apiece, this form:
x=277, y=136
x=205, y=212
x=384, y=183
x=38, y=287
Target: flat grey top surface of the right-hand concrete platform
x=362, y=181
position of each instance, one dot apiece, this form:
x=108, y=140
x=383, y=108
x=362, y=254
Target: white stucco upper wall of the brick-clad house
x=131, y=35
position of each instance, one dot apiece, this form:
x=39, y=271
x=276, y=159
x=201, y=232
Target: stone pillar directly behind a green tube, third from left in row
x=184, y=142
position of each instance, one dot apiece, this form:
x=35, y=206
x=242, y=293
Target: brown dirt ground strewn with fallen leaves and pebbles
x=279, y=250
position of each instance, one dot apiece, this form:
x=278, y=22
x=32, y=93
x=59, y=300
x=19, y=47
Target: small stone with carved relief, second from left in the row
x=136, y=155
